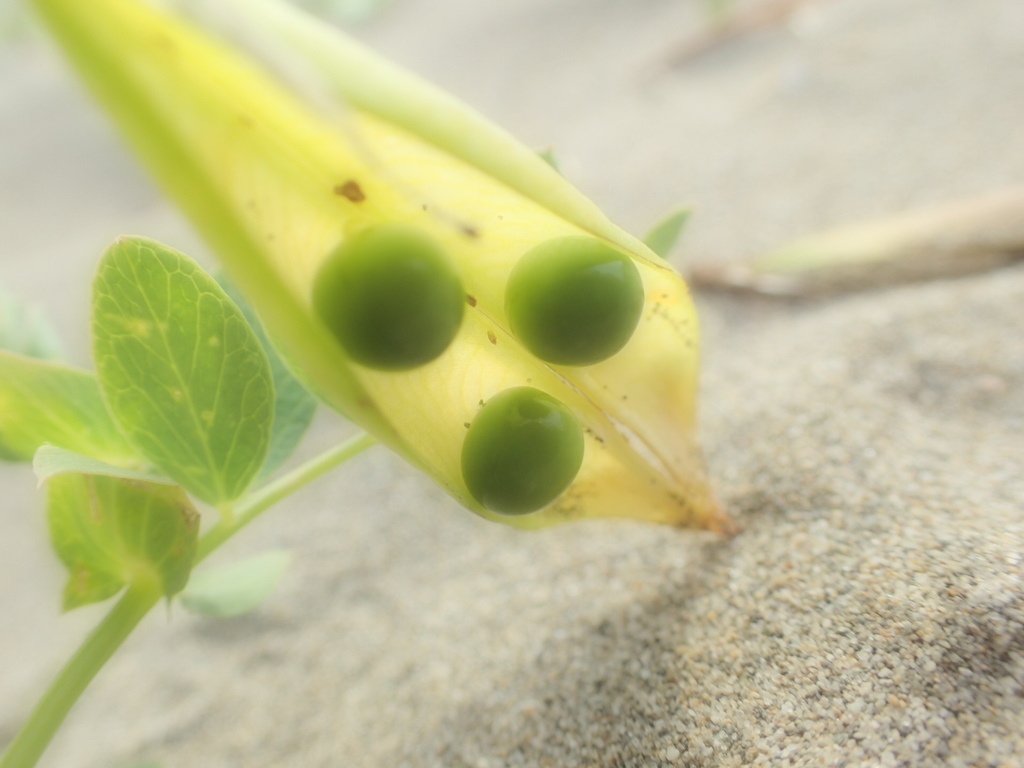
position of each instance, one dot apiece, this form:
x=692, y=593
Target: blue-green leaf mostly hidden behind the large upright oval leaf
x=294, y=406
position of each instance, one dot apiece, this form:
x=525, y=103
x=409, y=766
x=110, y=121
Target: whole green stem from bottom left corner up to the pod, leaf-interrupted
x=52, y=710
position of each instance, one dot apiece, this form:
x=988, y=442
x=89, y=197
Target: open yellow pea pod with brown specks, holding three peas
x=285, y=142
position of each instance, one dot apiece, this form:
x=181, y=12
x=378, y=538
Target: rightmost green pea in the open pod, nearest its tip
x=574, y=302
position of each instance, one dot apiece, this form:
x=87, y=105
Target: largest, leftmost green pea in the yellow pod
x=391, y=296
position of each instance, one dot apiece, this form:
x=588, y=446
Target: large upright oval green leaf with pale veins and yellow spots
x=183, y=372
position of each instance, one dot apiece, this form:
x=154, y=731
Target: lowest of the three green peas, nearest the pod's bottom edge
x=522, y=452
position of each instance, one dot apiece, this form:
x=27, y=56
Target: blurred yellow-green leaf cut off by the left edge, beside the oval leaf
x=44, y=402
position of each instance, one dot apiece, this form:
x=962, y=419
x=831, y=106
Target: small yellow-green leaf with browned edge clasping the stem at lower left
x=110, y=532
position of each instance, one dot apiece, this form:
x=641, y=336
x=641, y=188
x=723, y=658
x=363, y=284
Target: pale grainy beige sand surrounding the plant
x=872, y=611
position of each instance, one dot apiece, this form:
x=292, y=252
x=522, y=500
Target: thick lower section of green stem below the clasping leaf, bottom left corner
x=50, y=713
